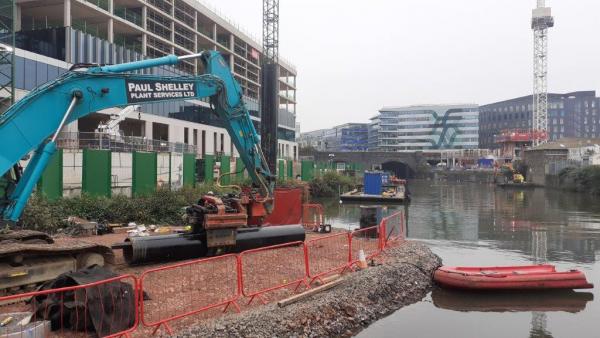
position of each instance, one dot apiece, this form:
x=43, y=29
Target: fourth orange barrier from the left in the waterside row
x=327, y=255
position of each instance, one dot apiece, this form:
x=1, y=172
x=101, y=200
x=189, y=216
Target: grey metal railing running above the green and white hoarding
x=118, y=143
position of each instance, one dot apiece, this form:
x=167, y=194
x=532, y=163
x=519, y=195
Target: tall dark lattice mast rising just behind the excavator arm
x=269, y=106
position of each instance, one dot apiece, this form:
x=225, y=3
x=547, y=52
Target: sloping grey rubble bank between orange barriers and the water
x=361, y=299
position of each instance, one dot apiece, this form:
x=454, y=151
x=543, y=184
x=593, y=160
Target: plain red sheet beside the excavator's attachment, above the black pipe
x=288, y=207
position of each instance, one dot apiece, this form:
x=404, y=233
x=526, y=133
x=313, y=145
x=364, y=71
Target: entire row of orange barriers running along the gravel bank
x=201, y=285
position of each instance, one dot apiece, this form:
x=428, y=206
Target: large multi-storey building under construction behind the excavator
x=51, y=35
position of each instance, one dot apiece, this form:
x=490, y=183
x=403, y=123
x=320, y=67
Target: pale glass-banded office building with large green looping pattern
x=425, y=128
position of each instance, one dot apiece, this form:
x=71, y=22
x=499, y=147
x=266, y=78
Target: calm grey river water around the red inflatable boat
x=478, y=224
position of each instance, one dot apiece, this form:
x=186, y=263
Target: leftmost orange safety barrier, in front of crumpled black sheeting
x=108, y=308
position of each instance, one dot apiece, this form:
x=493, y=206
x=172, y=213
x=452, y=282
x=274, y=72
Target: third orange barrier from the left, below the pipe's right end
x=272, y=268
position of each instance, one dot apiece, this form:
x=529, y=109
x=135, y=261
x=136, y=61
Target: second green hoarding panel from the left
x=96, y=172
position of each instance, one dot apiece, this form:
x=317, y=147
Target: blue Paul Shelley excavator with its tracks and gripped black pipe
x=32, y=125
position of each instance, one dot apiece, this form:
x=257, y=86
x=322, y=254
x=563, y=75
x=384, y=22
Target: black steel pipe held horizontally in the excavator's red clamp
x=139, y=250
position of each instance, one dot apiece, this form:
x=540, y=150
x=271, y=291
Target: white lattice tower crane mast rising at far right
x=541, y=20
